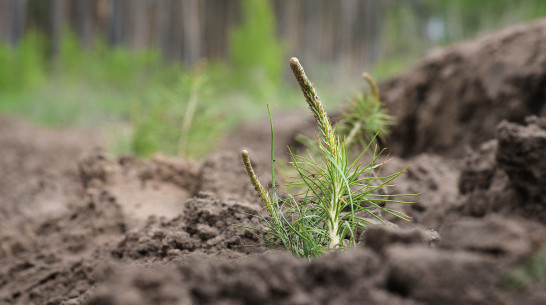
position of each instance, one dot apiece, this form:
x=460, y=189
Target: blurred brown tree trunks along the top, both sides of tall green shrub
x=344, y=32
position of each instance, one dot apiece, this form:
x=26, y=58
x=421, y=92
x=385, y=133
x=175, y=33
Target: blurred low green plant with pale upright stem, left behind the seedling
x=179, y=121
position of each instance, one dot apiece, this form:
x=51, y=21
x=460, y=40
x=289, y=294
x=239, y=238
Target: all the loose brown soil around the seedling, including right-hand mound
x=78, y=226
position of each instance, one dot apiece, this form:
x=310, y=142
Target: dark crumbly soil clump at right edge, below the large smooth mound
x=508, y=175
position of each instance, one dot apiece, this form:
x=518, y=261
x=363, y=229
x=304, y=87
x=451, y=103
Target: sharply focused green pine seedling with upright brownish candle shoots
x=339, y=198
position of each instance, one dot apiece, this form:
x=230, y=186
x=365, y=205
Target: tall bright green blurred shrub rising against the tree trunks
x=255, y=51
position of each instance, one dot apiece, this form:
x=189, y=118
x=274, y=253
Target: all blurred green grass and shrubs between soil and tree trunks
x=141, y=100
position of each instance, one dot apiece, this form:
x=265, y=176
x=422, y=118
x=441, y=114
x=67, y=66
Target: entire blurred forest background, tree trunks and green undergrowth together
x=173, y=76
